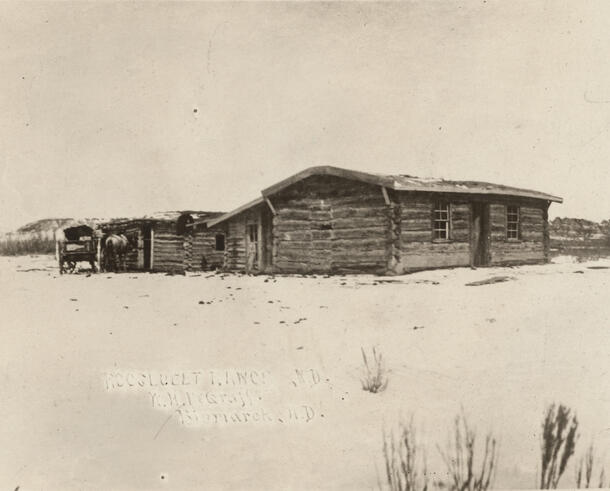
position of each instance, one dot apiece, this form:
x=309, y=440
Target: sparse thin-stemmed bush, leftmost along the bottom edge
x=405, y=460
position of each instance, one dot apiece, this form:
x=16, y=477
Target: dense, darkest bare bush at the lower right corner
x=559, y=436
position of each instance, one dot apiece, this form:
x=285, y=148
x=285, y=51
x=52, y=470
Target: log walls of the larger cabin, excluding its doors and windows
x=328, y=224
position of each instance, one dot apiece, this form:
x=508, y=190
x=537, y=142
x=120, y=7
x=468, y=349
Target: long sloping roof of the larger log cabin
x=397, y=182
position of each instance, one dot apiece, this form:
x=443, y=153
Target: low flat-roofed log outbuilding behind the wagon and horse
x=161, y=242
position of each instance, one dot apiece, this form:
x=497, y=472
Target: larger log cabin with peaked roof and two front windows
x=332, y=220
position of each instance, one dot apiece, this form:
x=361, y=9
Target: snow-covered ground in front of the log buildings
x=203, y=381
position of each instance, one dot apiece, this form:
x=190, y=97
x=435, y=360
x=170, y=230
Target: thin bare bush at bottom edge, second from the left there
x=465, y=471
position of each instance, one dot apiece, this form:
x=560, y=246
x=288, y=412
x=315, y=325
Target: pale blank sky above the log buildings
x=122, y=109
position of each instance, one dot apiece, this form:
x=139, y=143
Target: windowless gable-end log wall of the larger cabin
x=327, y=224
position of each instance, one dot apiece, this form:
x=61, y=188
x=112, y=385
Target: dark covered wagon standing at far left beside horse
x=75, y=244
